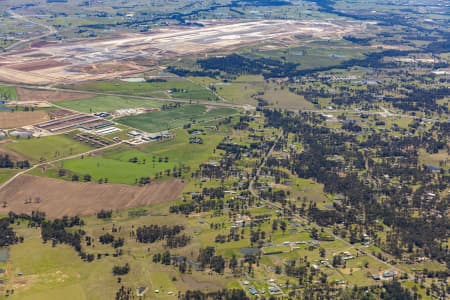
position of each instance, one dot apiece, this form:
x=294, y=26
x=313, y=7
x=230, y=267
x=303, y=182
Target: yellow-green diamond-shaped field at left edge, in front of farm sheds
x=47, y=148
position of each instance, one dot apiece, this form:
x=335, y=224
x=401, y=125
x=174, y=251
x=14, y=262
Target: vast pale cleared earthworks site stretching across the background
x=48, y=63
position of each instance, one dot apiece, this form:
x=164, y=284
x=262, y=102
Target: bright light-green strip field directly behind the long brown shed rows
x=107, y=104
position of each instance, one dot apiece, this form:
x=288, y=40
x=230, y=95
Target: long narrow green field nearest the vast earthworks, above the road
x=176, y=88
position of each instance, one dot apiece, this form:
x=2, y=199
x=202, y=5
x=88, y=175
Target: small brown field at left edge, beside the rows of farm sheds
x=20, y=118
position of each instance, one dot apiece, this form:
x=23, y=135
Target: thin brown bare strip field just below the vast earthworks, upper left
x=41, y=95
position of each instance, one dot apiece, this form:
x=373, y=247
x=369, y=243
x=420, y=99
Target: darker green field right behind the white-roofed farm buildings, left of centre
x=175, y=118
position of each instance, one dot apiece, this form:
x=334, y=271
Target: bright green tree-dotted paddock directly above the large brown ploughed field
x=115, y=163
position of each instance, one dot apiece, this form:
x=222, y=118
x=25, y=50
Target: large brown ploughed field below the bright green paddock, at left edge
x=59, y=198
